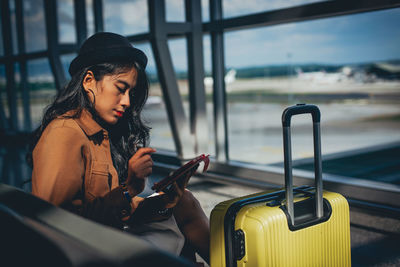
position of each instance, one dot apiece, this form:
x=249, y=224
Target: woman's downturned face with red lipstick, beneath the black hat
x=111, y=93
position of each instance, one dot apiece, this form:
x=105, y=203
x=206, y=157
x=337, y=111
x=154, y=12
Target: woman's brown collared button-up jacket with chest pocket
x=72, y=168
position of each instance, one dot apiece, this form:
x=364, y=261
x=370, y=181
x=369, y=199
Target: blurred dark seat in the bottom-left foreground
x=36, y=233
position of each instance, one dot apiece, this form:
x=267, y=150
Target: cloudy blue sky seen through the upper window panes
x=365, y=37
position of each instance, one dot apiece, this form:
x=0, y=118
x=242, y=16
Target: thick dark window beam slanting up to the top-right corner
x=301, y=13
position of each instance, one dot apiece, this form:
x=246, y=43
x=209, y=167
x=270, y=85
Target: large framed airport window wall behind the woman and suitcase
x=221, y=73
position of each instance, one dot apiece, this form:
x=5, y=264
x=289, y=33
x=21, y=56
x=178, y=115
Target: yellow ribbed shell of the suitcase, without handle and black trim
x=270, y=242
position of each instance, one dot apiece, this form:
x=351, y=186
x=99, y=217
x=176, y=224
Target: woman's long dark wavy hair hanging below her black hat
x=125, y=136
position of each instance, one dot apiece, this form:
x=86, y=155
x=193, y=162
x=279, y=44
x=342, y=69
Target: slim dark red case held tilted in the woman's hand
x=182, y=172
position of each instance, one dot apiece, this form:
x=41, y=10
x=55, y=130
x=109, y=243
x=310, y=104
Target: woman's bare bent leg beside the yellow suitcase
x=194, y=224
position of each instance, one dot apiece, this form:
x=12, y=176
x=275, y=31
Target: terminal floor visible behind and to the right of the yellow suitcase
x=375, y=238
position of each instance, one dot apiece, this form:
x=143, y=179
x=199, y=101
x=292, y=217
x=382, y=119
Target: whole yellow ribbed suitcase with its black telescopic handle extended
x=304, y=226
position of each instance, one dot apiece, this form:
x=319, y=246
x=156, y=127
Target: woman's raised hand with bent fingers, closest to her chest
x=140, y=166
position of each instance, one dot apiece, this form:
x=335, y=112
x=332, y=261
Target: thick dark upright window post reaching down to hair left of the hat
x=50, y=11
